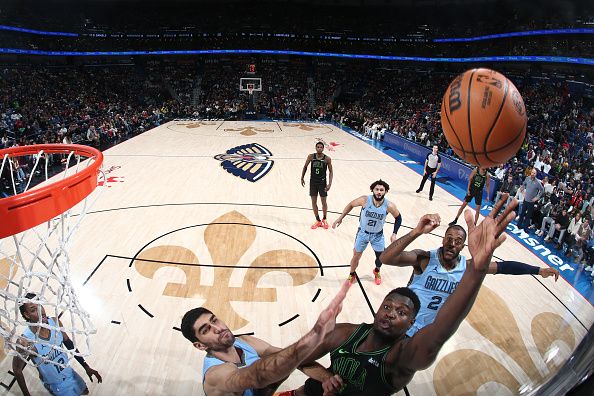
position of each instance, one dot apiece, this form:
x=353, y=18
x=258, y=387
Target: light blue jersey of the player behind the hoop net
x=49, y=371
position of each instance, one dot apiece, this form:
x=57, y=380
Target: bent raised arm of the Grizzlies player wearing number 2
x=396, y=256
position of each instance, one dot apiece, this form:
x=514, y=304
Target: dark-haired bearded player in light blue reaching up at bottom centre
x=249, y=366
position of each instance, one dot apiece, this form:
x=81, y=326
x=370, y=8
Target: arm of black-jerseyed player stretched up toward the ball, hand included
x=422, y=349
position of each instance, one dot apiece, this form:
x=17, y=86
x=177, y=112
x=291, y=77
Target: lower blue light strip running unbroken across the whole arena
x=547, y=59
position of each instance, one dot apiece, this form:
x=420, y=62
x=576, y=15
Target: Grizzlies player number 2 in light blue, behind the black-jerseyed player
x=437, y=273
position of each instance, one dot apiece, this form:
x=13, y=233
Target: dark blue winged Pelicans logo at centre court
x=249, y=161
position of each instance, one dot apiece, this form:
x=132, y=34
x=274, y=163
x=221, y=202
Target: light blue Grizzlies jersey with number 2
x=433, y=287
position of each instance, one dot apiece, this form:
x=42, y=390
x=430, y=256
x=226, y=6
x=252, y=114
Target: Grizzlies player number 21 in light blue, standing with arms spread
x=374, y=211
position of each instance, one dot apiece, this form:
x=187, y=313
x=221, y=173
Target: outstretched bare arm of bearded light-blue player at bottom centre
x=273, y=368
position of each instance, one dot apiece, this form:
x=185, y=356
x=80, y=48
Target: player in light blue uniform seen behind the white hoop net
x=58, y=380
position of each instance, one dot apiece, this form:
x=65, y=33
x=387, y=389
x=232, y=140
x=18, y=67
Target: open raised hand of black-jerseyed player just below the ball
x=485, y=237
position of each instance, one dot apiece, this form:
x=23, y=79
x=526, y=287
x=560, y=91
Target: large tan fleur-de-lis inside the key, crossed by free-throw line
x=228, y=239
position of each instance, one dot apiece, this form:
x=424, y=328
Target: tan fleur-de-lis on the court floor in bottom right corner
x=464, y=371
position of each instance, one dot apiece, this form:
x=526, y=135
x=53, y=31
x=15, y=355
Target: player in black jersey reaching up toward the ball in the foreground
x=379, y=359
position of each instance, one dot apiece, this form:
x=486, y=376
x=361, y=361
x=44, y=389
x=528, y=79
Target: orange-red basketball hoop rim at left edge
x=24, y=211
